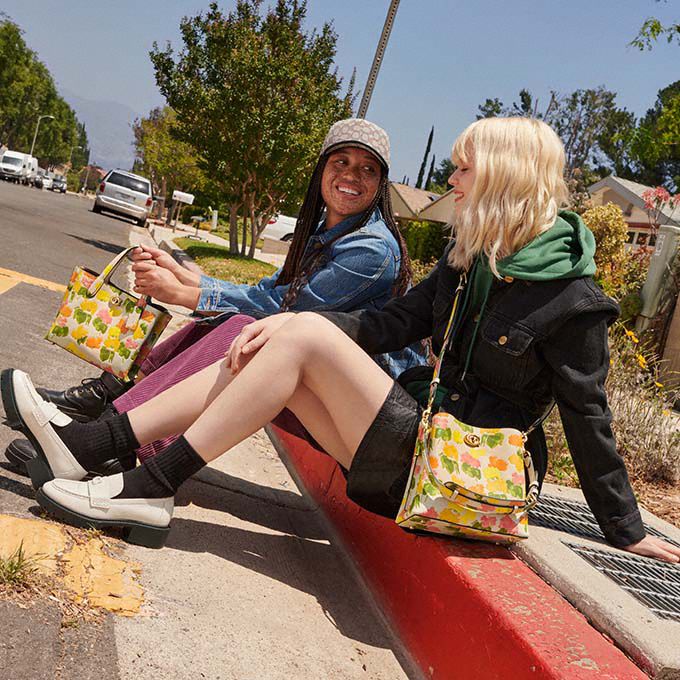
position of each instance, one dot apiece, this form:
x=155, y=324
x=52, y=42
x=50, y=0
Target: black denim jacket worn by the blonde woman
x=537, y=342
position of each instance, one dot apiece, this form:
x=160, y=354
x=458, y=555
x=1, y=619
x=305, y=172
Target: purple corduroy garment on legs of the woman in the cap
x=189, y=350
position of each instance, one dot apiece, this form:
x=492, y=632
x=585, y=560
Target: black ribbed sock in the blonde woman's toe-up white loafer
x=99, y=441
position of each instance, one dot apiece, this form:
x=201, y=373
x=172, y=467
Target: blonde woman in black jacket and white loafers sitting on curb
x=533, y=331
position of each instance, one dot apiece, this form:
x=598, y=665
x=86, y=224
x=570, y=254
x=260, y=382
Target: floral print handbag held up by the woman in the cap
x=105, y=325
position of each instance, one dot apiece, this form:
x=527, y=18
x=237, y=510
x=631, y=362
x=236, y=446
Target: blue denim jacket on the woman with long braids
x=358, y=272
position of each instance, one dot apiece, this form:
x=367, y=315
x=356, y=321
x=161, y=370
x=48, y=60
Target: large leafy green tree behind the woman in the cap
x=254, y=95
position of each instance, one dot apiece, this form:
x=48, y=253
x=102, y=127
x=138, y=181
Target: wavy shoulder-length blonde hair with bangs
x=518, y=190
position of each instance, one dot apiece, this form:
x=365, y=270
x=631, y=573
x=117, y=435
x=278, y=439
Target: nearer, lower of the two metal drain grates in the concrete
x=655, y=584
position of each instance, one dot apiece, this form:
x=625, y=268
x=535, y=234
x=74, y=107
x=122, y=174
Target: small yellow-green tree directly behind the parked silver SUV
x=169, y=163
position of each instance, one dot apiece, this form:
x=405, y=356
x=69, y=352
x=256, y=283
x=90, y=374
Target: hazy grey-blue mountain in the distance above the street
x=109, y=130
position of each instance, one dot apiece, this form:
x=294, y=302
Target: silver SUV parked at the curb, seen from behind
x=125, y=194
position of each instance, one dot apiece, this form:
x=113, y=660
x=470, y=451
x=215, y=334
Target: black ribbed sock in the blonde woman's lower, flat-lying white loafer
x=162, y=475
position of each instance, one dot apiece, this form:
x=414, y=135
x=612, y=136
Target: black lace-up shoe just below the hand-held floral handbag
x=88, y=400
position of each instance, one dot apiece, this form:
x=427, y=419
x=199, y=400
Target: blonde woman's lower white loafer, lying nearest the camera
x=146, y=521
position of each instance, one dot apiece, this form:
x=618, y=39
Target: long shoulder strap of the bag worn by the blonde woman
x=426, y=420
